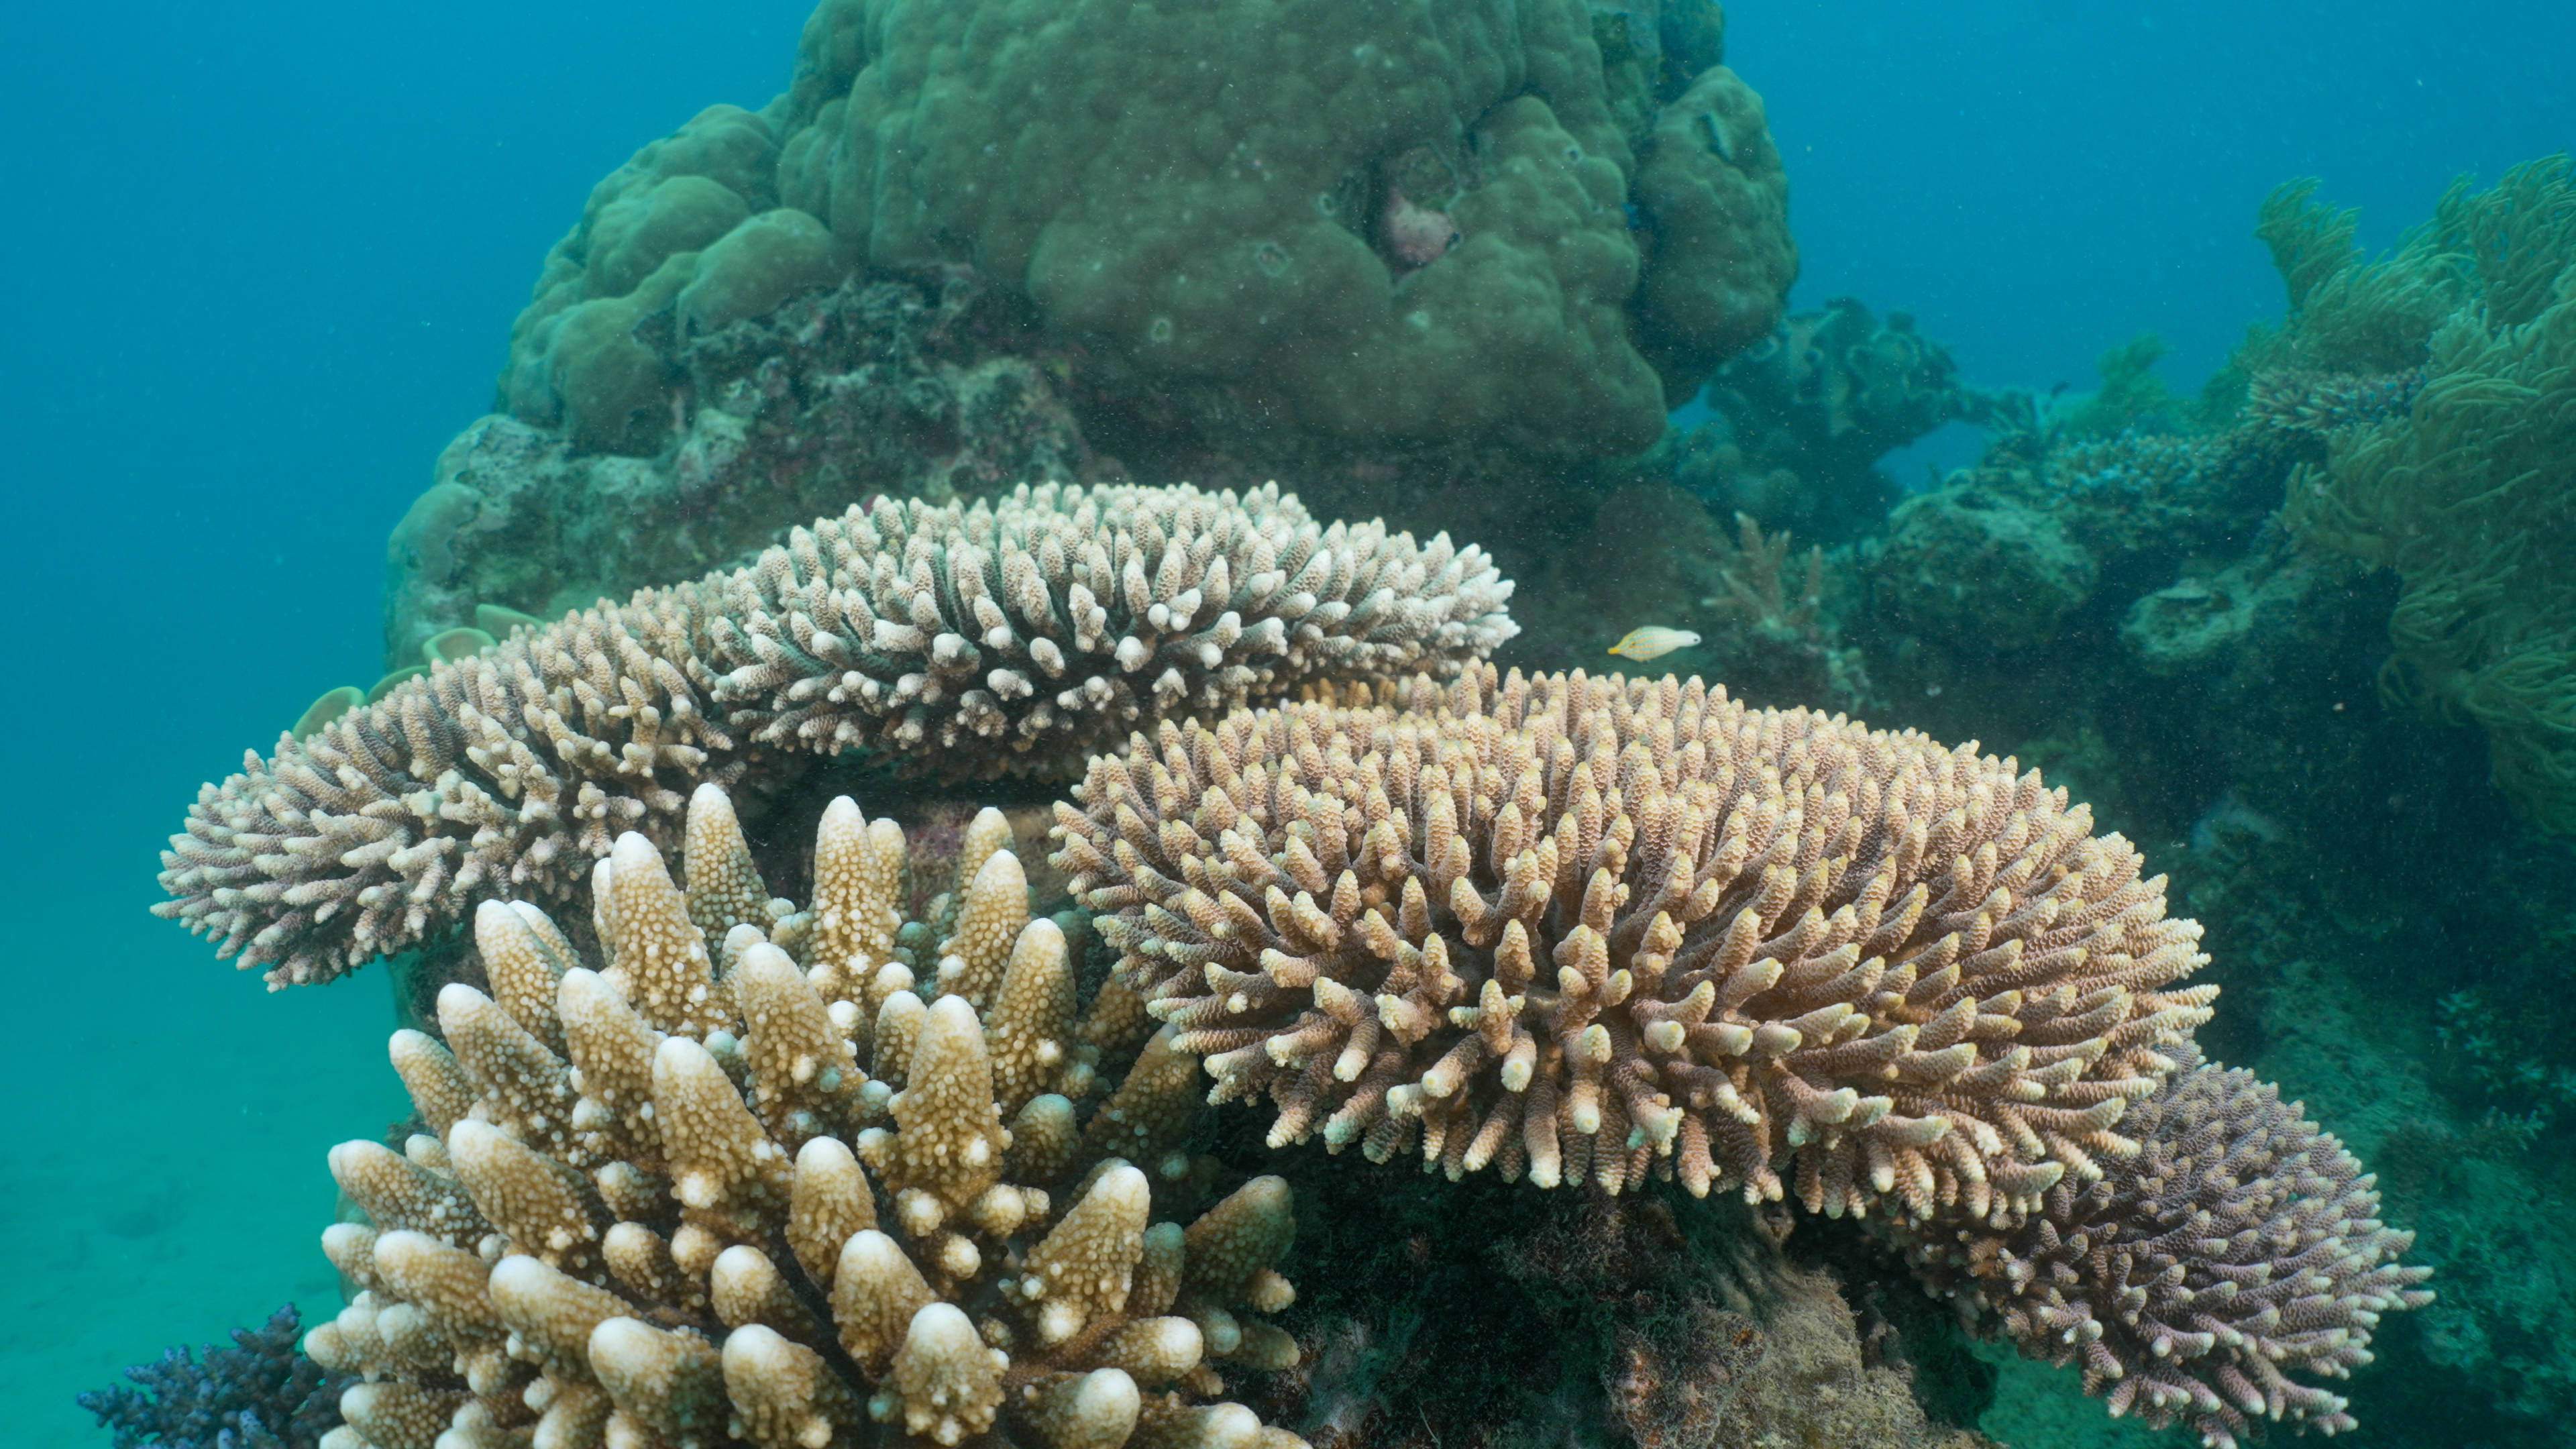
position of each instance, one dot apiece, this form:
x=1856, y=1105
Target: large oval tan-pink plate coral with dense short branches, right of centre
x=1588, y=929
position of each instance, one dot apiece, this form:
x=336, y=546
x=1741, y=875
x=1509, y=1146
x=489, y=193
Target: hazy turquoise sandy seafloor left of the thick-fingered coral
x=161, y=1172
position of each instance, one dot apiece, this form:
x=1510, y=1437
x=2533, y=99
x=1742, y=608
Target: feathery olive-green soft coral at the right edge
x=2467, y=491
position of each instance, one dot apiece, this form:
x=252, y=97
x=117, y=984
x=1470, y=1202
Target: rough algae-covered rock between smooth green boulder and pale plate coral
x=828, y=401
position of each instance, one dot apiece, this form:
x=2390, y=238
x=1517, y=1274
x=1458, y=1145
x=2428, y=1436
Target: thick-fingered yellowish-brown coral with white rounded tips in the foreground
x=707, y=1195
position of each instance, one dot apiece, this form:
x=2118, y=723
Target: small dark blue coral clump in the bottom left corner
x=261, y=1394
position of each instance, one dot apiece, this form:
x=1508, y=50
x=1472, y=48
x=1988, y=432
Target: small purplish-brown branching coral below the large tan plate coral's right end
x=2237, y=1247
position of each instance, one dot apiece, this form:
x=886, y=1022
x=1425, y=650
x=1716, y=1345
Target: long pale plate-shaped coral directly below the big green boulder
x=1009, y=636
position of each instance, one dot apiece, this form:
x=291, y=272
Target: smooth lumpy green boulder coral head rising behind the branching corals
x=1382, y=223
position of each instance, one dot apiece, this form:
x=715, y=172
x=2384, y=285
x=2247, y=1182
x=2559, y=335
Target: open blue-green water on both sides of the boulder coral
x=261, y=264
